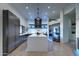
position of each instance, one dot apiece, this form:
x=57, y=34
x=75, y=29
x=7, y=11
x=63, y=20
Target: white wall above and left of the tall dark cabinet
x=22, y=20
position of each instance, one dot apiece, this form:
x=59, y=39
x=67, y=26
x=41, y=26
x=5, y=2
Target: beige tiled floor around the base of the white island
x=54, y=49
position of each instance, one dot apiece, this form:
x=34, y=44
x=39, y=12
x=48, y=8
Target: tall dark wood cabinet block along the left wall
x=11, y=31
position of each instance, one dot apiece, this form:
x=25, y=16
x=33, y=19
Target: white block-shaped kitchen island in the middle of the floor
x=37, y=43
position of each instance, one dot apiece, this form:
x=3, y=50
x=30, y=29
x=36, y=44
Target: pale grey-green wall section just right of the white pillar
x=67, y=29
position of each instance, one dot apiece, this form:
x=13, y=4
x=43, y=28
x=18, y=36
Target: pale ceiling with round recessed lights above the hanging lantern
x=29, y=10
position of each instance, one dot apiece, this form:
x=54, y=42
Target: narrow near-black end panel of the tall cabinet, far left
x=5, y=32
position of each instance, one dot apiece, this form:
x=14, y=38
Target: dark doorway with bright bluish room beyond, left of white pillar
x=54, y=32
